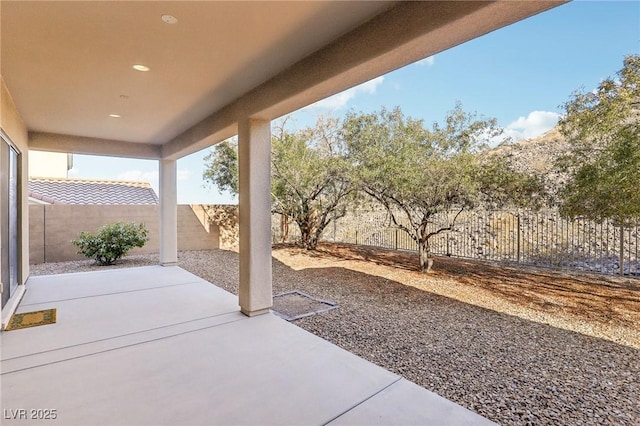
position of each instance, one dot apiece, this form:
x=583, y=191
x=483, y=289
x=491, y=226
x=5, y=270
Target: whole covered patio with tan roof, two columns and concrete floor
x=161, y=80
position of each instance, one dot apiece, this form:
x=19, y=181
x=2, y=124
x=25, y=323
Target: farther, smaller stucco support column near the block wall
x=168, y=213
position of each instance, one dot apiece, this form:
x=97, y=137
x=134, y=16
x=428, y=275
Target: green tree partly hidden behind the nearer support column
x=310, y=180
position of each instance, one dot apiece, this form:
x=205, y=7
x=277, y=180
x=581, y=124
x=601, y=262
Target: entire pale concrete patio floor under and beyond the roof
x=159, y=346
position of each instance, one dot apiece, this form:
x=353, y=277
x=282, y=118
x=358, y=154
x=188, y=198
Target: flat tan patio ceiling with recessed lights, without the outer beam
x=78, y=57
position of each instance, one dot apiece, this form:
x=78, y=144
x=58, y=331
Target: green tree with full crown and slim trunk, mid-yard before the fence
x=421, y=175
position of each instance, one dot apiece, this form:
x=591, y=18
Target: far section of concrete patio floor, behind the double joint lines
x=114, y=304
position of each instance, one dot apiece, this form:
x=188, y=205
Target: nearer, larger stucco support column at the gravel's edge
x=254, y=168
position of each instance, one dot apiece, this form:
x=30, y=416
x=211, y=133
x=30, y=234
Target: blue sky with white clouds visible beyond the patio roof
x=520, y=75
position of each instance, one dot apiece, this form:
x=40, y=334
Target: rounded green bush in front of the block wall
x=111, y=242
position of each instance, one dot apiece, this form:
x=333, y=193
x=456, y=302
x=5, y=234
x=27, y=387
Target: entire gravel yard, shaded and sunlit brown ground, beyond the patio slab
x=477, y=334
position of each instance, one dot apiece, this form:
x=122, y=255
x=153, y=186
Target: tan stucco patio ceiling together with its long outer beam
x=68, y=65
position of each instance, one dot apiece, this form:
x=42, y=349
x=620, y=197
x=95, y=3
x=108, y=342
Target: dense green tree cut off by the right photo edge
x=603, y=128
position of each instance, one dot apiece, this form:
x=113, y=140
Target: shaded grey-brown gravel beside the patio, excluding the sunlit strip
x=508, y=369
